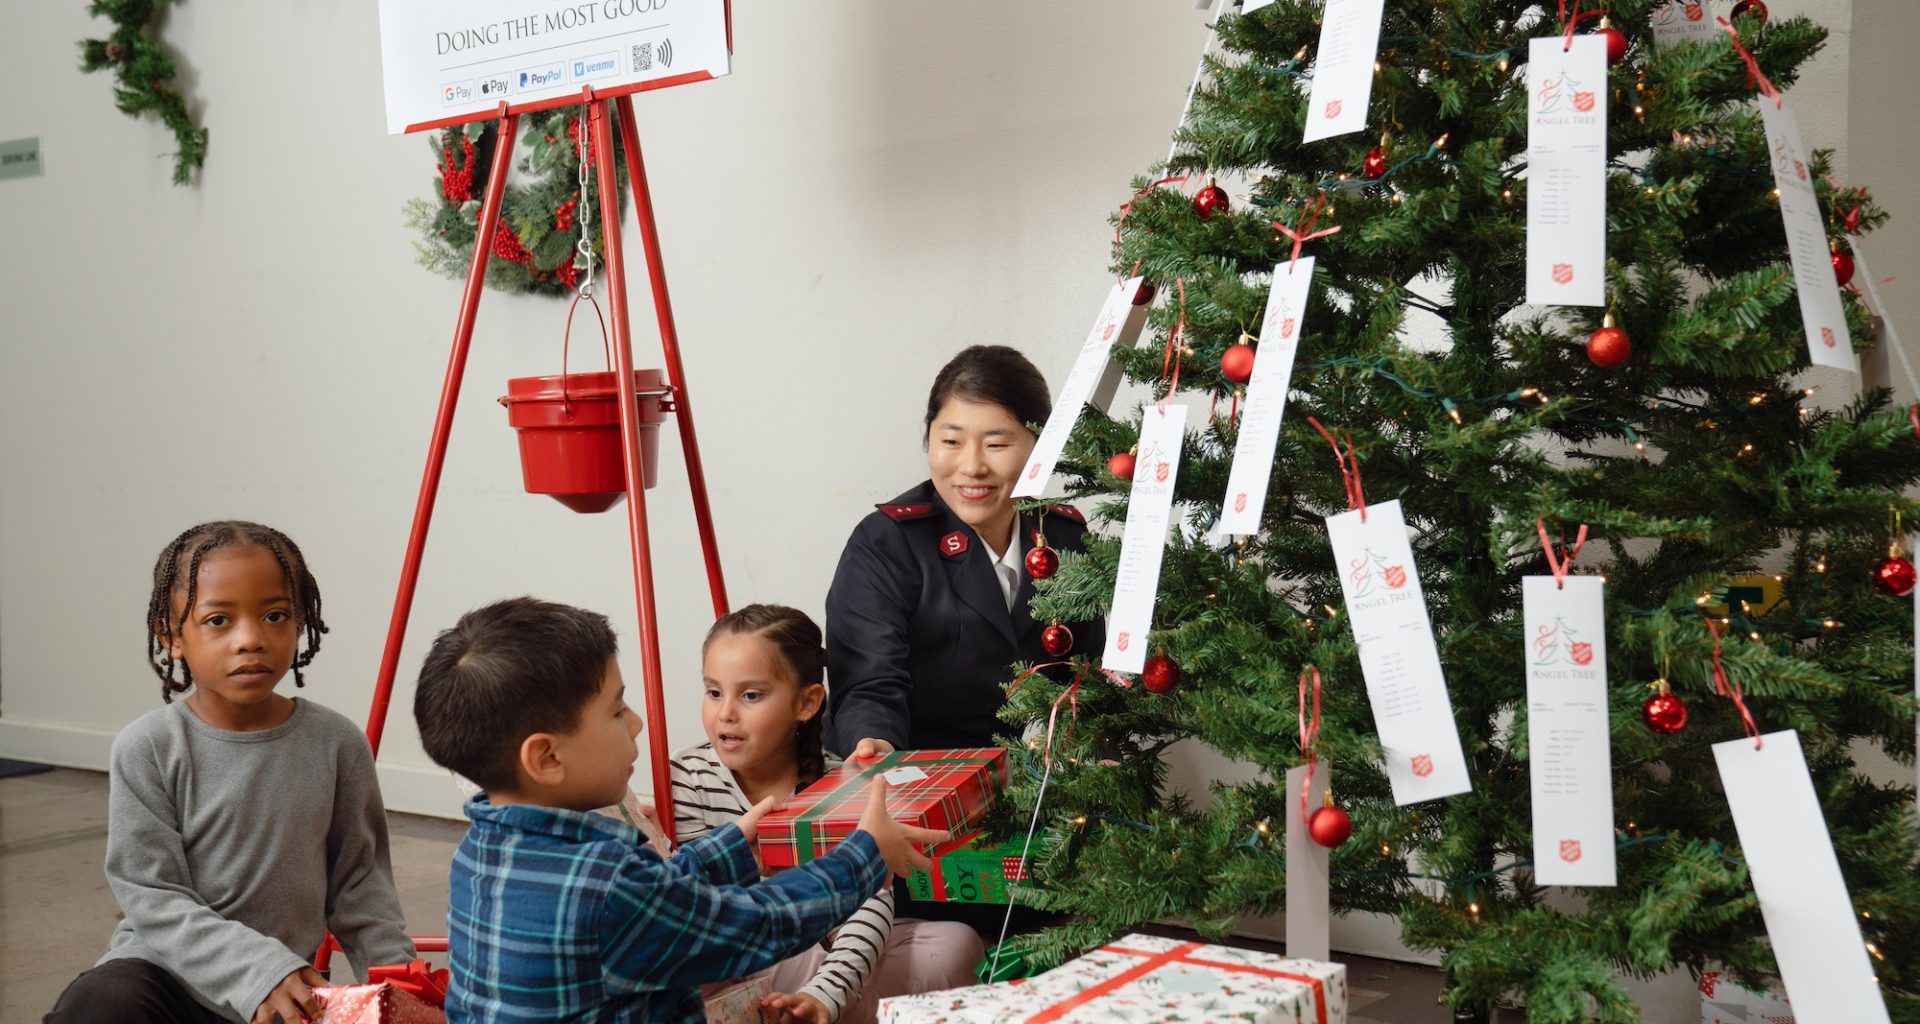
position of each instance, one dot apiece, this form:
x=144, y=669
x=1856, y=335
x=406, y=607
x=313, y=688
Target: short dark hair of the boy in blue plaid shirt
x=504, y=673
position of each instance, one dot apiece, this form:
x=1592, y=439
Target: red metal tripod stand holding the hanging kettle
x=600, y=124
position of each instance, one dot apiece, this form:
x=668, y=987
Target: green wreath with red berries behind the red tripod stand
x=539, y=222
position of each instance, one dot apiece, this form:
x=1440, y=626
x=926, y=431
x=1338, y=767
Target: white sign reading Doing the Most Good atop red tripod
x=460, y=61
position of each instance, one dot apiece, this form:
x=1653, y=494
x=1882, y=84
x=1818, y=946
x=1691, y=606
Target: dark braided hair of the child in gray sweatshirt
x=180, y=570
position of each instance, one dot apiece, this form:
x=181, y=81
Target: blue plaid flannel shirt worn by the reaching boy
x=565, y=915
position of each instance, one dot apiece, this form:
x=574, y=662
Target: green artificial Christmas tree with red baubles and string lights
x=1694, y=464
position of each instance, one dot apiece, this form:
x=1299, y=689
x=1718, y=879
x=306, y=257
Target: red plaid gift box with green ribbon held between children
x=934, y=789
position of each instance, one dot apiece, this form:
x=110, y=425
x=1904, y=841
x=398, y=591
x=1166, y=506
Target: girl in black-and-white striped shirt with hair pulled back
x=765, y=673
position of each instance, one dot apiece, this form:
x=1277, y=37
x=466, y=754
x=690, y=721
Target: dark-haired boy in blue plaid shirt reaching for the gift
x=558, y=914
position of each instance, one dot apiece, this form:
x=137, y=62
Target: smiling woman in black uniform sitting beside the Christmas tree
x=928, y=608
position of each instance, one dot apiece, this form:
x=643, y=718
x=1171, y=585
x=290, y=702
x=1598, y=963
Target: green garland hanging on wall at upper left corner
x=145, y=76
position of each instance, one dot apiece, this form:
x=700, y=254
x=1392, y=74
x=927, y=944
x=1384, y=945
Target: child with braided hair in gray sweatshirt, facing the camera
x=243, y=825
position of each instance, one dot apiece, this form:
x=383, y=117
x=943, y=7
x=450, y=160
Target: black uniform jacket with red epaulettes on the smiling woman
x=919, y=633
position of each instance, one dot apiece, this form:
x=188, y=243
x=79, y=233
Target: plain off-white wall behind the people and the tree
x=878, y=185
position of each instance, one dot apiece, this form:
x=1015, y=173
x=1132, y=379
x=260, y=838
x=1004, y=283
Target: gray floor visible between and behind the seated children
x=57, y=910
